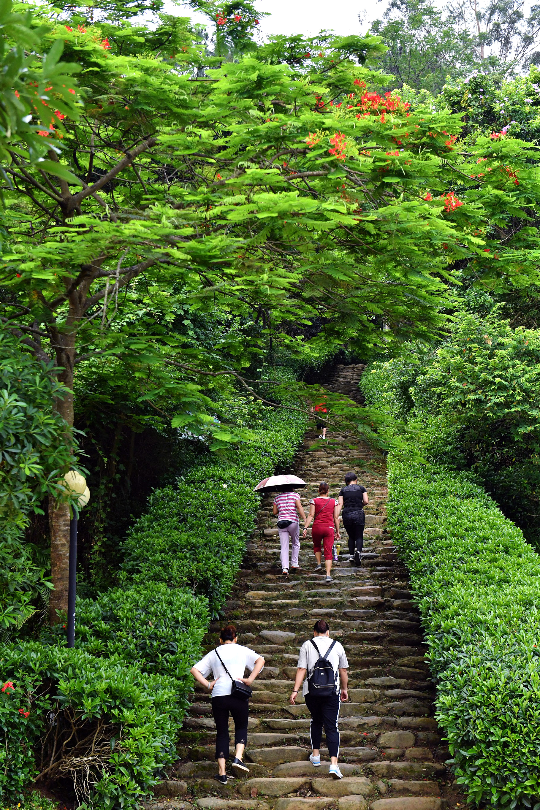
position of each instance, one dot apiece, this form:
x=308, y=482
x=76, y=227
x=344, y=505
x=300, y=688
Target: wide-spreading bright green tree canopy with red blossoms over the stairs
x=275, y=189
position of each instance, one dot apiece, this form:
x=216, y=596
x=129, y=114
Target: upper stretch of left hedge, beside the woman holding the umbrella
x=194, y=535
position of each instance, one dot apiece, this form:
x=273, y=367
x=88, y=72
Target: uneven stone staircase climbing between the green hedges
x=392, y=755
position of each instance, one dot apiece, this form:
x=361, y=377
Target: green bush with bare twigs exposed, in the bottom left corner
x=105, y=724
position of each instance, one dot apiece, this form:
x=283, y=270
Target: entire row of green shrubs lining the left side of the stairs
x=124, y=690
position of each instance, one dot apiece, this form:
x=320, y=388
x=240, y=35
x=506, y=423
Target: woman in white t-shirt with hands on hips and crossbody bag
x=227, y=664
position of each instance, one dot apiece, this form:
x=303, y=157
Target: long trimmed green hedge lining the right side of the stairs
x=476, y=582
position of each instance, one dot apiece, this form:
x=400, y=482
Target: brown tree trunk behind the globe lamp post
x=59, y=518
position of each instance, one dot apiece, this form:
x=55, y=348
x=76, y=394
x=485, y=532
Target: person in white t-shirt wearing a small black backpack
x=324, y=661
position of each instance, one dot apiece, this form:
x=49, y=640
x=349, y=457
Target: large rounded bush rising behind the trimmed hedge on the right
x=472, y=402
